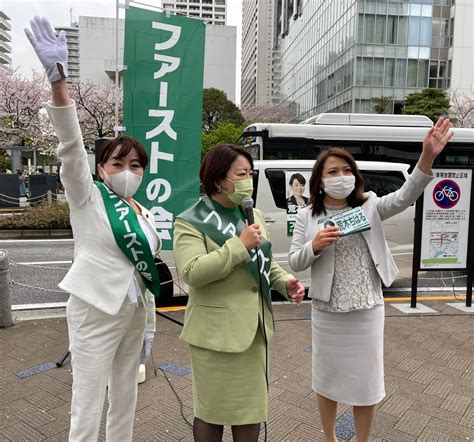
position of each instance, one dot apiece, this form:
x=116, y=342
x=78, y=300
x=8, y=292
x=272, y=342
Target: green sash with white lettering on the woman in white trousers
x=130, y=237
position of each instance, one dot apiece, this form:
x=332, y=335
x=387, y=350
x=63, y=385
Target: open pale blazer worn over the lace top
x=377, y=209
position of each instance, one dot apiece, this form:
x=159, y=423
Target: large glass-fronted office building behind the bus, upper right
x=336, y=56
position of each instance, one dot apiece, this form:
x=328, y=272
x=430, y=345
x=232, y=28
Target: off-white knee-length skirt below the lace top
x=348, y=355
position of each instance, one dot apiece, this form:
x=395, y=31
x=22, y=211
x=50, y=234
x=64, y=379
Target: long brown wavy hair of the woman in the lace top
x=316, y=199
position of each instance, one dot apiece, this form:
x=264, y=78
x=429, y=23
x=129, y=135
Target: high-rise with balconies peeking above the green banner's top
x=212, y=11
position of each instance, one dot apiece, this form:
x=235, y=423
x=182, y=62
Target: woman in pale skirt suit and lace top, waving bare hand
x=346, y=277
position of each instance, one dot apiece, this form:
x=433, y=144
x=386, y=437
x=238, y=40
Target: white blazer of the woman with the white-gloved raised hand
x=100, y=274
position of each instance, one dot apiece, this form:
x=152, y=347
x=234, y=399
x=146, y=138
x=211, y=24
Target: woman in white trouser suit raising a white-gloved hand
x=109, y=309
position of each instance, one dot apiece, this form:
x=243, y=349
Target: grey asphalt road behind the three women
x=37, y=266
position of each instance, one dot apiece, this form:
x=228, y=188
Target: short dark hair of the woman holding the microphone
x=216, y=164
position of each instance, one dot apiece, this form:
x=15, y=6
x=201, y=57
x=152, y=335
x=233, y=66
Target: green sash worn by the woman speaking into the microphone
x=219, y=224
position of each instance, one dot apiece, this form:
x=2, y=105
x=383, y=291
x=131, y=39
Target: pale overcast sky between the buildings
x=59, y=13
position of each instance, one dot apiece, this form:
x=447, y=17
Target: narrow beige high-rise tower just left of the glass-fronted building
x=257, y=53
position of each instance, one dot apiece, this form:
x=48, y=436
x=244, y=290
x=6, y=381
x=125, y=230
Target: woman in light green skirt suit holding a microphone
x=229, y=268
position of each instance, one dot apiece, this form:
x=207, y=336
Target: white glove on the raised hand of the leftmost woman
x=49, y=49
